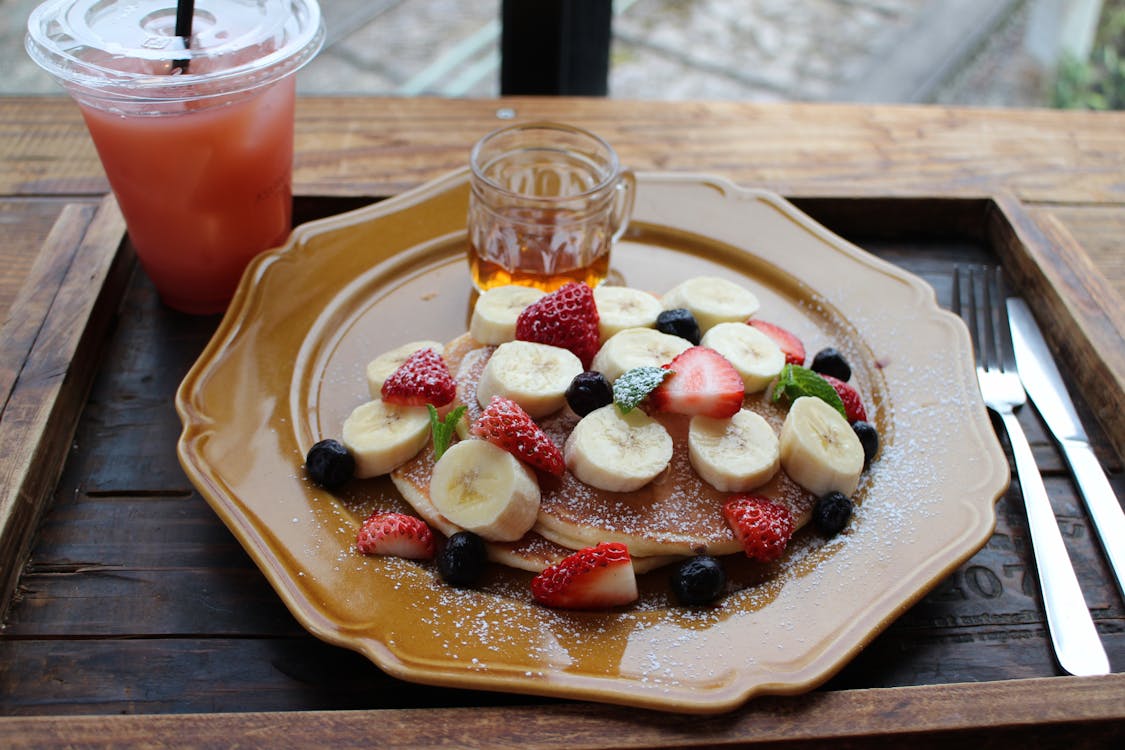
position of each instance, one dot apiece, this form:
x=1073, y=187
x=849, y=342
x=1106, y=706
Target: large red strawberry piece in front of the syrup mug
x=568, y=319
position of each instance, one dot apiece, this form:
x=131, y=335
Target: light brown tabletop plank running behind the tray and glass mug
x=372, y=147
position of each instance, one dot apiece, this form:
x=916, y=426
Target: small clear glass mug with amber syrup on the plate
x=548, y=201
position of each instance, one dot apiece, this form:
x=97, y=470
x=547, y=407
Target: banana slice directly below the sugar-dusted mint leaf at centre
x=618, y=453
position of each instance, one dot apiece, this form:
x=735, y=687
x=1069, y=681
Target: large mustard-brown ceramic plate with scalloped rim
x=287, y=366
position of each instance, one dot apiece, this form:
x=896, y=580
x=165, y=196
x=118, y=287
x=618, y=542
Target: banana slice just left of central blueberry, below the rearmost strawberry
x=534, y=376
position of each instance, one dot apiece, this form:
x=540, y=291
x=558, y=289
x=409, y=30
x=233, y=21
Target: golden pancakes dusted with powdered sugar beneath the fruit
x=678, y=514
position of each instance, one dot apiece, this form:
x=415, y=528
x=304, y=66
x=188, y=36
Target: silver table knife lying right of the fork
x=1049, y=393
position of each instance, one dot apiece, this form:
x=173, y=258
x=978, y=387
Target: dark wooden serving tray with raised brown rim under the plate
x=130, y=597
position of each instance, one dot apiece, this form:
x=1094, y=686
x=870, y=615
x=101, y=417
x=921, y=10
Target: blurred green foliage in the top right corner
x=1099, y=84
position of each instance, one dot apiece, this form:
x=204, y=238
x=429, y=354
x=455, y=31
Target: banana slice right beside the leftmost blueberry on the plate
x=381, y=437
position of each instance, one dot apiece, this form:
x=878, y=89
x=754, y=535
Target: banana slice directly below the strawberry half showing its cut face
x=735, y=455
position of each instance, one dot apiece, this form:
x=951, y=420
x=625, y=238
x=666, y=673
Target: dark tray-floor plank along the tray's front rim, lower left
x=197, y=674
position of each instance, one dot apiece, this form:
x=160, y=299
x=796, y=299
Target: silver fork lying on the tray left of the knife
x=1074, y=636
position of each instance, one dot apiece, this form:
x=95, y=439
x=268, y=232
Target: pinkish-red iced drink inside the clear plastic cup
x=203, y=192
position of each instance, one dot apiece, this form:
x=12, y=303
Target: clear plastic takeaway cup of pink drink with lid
x=195, y=132
